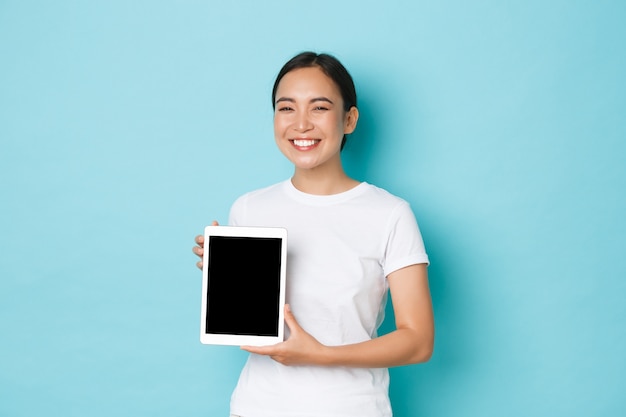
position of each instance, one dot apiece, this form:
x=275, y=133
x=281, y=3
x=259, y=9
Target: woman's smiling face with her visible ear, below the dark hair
x=309, y=119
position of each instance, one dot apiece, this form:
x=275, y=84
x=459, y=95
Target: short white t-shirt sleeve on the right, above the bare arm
x=405, y=245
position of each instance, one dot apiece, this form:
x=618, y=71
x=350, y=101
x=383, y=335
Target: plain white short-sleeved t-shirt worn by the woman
x=340, y=248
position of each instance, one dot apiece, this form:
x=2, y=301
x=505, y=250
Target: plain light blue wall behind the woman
x=126, y=126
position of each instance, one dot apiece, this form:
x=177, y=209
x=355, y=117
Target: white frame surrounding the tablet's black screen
x=238, y=339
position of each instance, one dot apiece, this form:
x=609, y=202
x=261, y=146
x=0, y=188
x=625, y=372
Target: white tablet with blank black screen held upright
x=243, y=285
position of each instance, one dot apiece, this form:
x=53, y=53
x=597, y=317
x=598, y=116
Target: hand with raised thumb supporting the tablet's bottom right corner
x=299, y=349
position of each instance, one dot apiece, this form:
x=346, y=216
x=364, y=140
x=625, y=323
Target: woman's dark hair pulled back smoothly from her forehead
x=329, y=66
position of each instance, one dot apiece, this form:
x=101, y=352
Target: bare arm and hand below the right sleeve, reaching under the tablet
x=411, y=342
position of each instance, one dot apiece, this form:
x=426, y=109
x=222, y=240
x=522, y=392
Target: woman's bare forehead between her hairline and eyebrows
x=307, y=81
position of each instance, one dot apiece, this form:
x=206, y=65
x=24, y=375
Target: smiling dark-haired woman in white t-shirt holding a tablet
x=349, y=242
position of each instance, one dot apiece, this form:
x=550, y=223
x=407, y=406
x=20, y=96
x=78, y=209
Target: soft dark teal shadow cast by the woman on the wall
x=420, y=389
